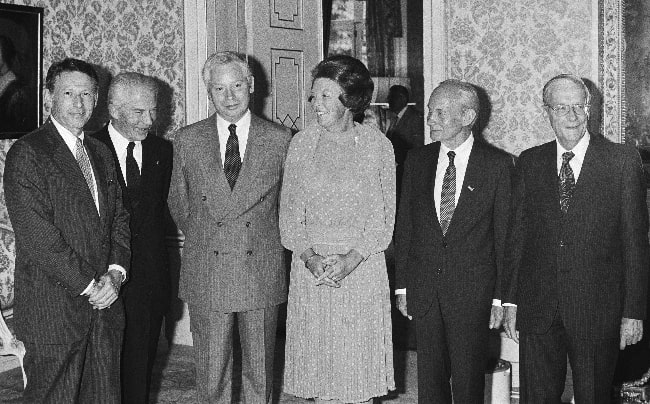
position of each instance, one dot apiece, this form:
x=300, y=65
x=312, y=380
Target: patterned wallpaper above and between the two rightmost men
x=510, y=48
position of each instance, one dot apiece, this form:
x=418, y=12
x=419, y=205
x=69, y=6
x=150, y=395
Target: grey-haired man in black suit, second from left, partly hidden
x=145, y=166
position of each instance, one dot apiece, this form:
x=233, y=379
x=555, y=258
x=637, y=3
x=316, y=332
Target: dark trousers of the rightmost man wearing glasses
x=543, y=366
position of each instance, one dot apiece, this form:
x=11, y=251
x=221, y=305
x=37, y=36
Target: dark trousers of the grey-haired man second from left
x=143, y=324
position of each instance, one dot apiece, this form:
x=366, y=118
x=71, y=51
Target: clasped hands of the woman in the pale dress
x=332, y=269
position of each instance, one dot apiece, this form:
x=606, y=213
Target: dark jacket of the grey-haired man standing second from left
x=149, y=275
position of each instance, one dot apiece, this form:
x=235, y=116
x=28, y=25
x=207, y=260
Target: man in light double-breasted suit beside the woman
x=224, y=198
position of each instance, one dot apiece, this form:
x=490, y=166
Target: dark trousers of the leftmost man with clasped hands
x=86, y=371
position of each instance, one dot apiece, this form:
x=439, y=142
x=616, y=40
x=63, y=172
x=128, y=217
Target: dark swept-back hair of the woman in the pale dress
x=353, y=77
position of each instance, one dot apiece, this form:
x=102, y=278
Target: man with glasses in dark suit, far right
x=578, y=264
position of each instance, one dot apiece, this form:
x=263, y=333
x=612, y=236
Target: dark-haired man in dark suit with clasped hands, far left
x=72, y=248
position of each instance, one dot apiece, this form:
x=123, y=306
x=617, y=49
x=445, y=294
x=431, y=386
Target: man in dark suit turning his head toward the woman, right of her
x=449, y=246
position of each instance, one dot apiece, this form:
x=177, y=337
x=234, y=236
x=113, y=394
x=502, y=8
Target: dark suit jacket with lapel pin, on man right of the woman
x=470, y=255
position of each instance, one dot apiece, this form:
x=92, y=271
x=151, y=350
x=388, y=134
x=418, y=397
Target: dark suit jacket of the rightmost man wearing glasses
x=591, y=264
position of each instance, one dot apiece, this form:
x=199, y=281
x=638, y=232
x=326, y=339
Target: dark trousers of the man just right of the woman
x=452, y=344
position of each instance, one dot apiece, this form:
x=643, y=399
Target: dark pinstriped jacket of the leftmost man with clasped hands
x=61, y=241
